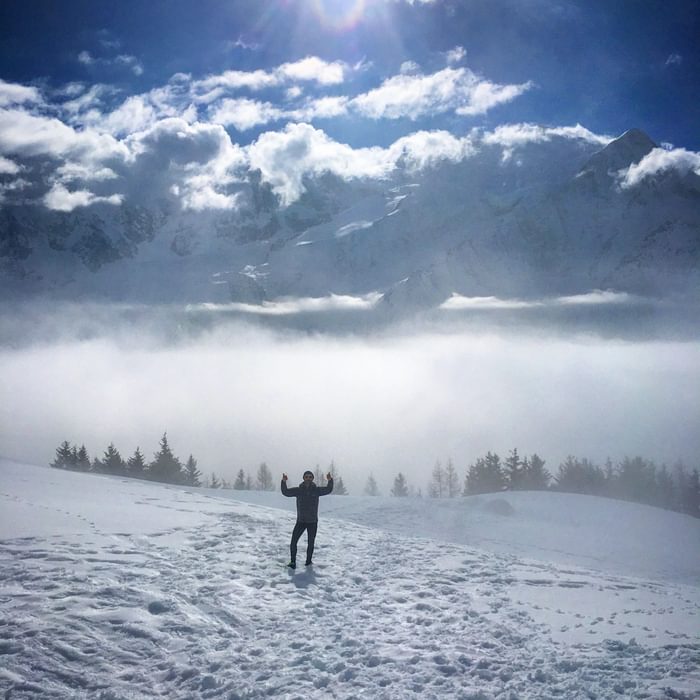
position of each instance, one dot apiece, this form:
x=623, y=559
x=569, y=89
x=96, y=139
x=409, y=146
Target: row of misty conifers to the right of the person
x=633, y=479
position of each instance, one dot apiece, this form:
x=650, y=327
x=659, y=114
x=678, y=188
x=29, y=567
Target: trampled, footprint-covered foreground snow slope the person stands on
x=211, y=611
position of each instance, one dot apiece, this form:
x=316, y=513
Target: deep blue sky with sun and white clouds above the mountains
x=120, y=79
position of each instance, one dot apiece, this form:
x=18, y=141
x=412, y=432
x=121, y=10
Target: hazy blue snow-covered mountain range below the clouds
x=541, y=218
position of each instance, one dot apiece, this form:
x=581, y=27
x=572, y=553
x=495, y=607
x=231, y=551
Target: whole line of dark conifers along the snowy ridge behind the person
x=633, y=479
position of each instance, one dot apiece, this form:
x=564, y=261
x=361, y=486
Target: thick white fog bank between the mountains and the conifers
x=234, y=395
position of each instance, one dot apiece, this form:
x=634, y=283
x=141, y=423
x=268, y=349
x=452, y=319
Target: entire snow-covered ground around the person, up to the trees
x=113, y=588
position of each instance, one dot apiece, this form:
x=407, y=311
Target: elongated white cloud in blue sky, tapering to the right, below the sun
x=451, y=89
